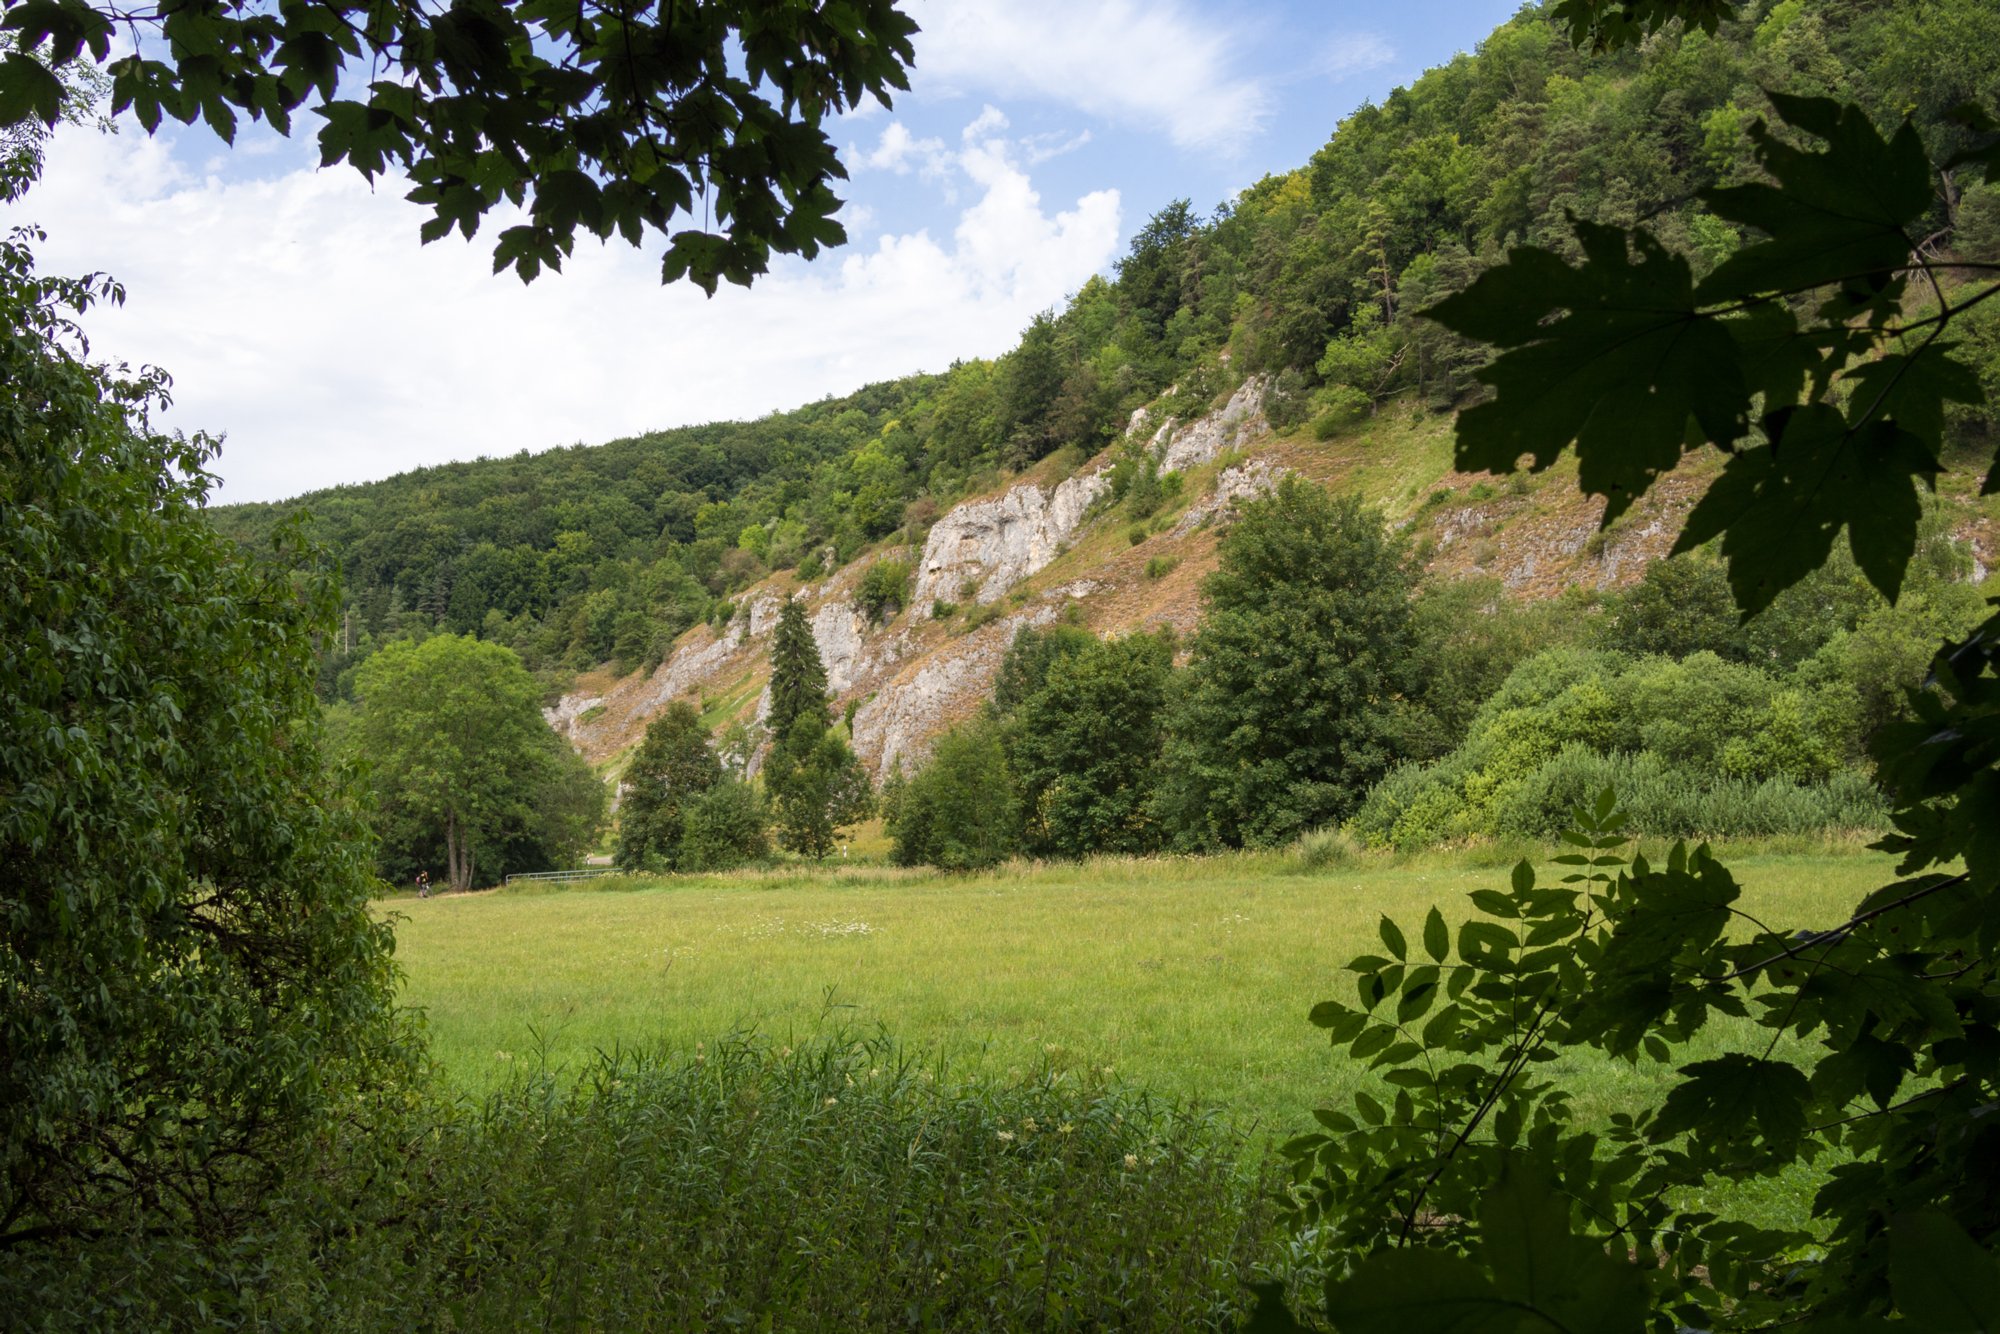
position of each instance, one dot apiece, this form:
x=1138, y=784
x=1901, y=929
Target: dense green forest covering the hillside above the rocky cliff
x=1315, y=277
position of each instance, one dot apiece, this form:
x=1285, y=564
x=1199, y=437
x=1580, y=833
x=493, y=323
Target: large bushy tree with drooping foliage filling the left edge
x=189, y=969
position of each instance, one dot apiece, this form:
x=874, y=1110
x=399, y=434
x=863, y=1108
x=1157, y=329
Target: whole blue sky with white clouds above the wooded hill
x=303, y=321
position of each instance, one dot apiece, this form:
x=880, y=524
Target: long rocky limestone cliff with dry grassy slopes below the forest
x=1049, y=547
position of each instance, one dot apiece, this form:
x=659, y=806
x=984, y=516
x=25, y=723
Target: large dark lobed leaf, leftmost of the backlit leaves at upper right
x=1611, y=357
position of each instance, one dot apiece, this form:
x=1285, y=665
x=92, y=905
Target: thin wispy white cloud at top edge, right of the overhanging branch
x=1151, y=63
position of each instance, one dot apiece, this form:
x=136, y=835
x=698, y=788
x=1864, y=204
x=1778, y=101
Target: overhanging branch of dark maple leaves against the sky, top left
x=601, y=119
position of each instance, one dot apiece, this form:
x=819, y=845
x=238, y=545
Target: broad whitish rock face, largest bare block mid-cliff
x=999, y=543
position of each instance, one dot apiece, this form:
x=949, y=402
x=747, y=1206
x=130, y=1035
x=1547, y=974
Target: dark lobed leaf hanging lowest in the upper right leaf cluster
x=1781, y=507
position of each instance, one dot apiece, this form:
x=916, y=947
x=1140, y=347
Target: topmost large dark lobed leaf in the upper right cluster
x=1833, y=217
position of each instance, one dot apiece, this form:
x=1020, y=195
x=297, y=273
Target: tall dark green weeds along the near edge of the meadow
x=835, y=1187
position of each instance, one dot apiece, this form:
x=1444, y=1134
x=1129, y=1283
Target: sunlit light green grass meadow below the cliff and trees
x=1191, y=977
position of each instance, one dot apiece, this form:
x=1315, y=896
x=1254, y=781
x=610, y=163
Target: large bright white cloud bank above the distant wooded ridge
x=301, y=317
